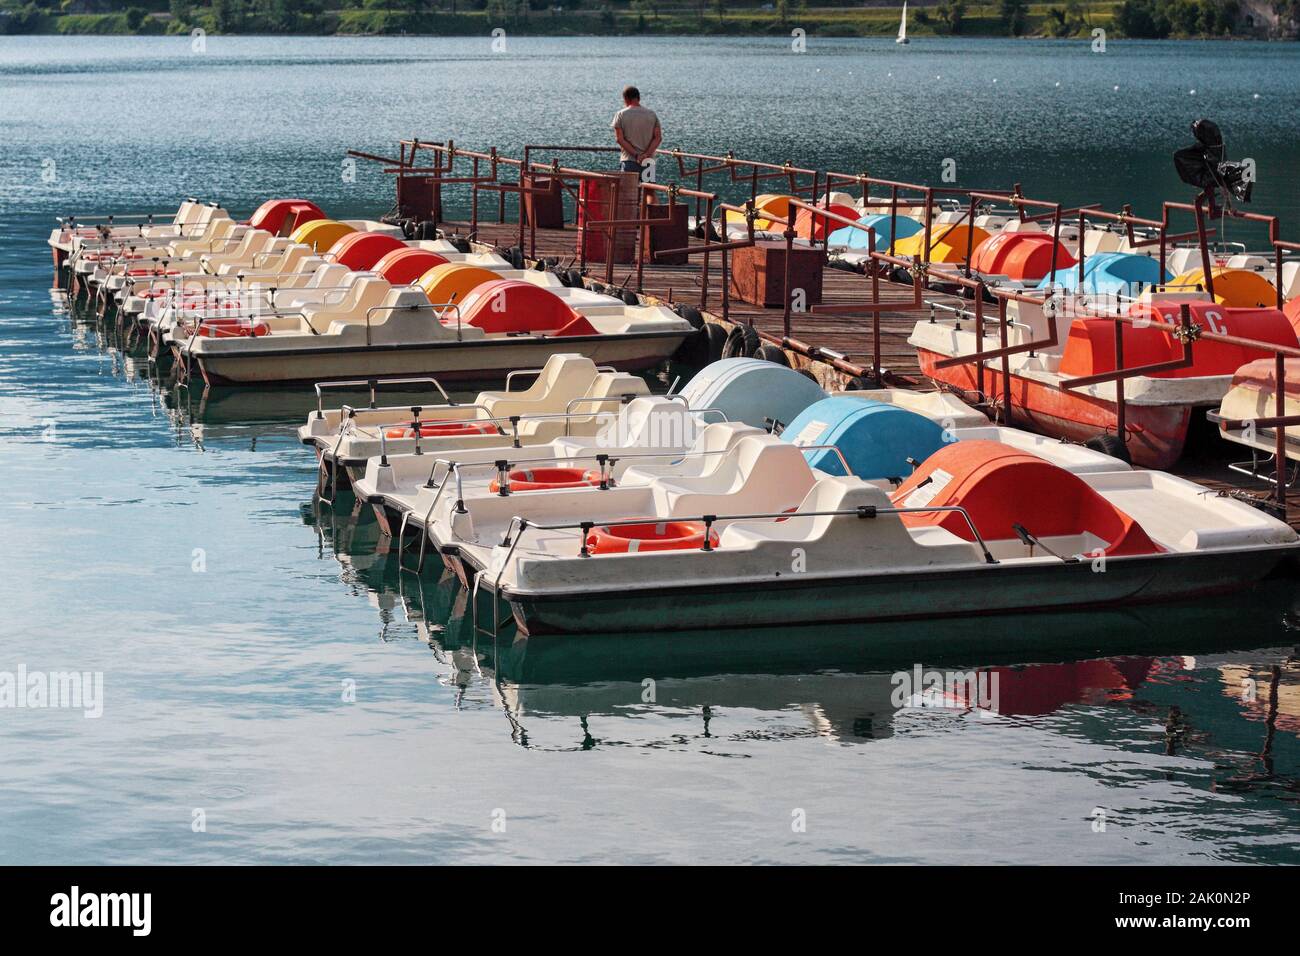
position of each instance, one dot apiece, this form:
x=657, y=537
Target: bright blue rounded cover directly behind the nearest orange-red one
x=876, y=439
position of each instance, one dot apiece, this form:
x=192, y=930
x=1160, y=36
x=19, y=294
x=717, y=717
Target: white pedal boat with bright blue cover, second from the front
x=463, y=503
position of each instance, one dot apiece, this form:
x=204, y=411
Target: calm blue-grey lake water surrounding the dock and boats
x=274, y=690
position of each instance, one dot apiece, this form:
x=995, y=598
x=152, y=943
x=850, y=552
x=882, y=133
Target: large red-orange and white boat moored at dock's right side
x=1050, y=384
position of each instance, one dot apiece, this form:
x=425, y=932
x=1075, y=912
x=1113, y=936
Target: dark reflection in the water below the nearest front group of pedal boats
x=1221, y=676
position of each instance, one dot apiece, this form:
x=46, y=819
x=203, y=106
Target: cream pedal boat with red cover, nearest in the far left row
x=395, y=331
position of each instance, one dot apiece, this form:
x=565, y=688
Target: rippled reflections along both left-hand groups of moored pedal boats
x=1212, y=689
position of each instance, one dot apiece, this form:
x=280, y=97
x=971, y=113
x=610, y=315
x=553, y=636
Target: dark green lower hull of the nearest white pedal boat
x=985, y=590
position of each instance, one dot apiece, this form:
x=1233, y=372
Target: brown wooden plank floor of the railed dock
x=847, y=334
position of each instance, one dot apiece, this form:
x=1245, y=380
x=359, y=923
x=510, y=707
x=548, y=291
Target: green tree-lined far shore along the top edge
x=1065, y=20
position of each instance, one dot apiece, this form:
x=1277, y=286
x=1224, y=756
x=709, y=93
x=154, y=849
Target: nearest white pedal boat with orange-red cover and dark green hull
x=980, y=527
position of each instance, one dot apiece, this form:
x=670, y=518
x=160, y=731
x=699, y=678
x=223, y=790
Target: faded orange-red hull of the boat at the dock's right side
x=1158, y=434
